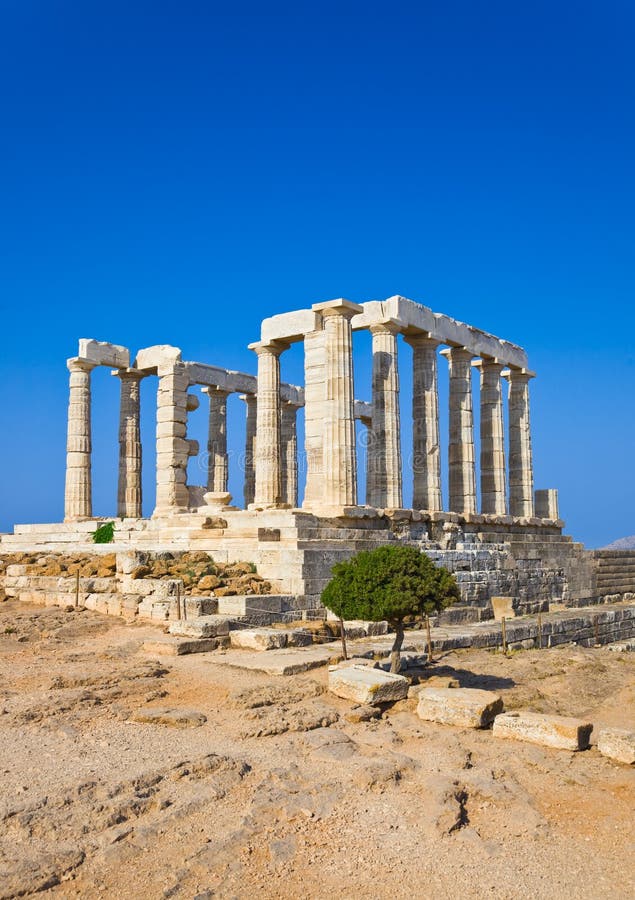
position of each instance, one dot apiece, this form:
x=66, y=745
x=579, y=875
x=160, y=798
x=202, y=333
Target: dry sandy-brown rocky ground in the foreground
x=126, y=776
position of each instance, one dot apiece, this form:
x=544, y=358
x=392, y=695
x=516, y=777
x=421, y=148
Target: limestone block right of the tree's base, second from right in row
x=465, y=707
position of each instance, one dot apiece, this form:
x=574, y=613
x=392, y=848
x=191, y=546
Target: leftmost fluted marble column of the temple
x=78, y=491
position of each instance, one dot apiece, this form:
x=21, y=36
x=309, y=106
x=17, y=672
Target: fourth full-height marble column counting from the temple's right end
x=426, y=453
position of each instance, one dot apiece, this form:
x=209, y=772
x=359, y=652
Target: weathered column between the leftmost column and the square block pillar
x=129, y=483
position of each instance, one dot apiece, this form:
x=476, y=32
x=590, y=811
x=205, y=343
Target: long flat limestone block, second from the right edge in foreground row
x=560, y=732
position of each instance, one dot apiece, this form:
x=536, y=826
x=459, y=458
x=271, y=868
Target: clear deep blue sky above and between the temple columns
x=172, y=172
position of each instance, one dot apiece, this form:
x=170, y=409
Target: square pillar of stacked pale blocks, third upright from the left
x=173, y=449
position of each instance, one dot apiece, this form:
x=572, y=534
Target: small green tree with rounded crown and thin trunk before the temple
x=390, y=583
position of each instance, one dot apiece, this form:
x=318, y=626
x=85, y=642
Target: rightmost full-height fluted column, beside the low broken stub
x=521, y=474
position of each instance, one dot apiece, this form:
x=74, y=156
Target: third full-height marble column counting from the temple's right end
x=462, y=473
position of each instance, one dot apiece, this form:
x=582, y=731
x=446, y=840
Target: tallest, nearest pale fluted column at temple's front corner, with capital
x=339, y=451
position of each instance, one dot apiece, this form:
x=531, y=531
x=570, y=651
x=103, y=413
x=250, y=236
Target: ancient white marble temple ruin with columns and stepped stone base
x=512, y=545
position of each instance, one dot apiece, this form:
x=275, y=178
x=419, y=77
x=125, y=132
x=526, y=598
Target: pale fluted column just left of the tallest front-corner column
x=268, y=481
